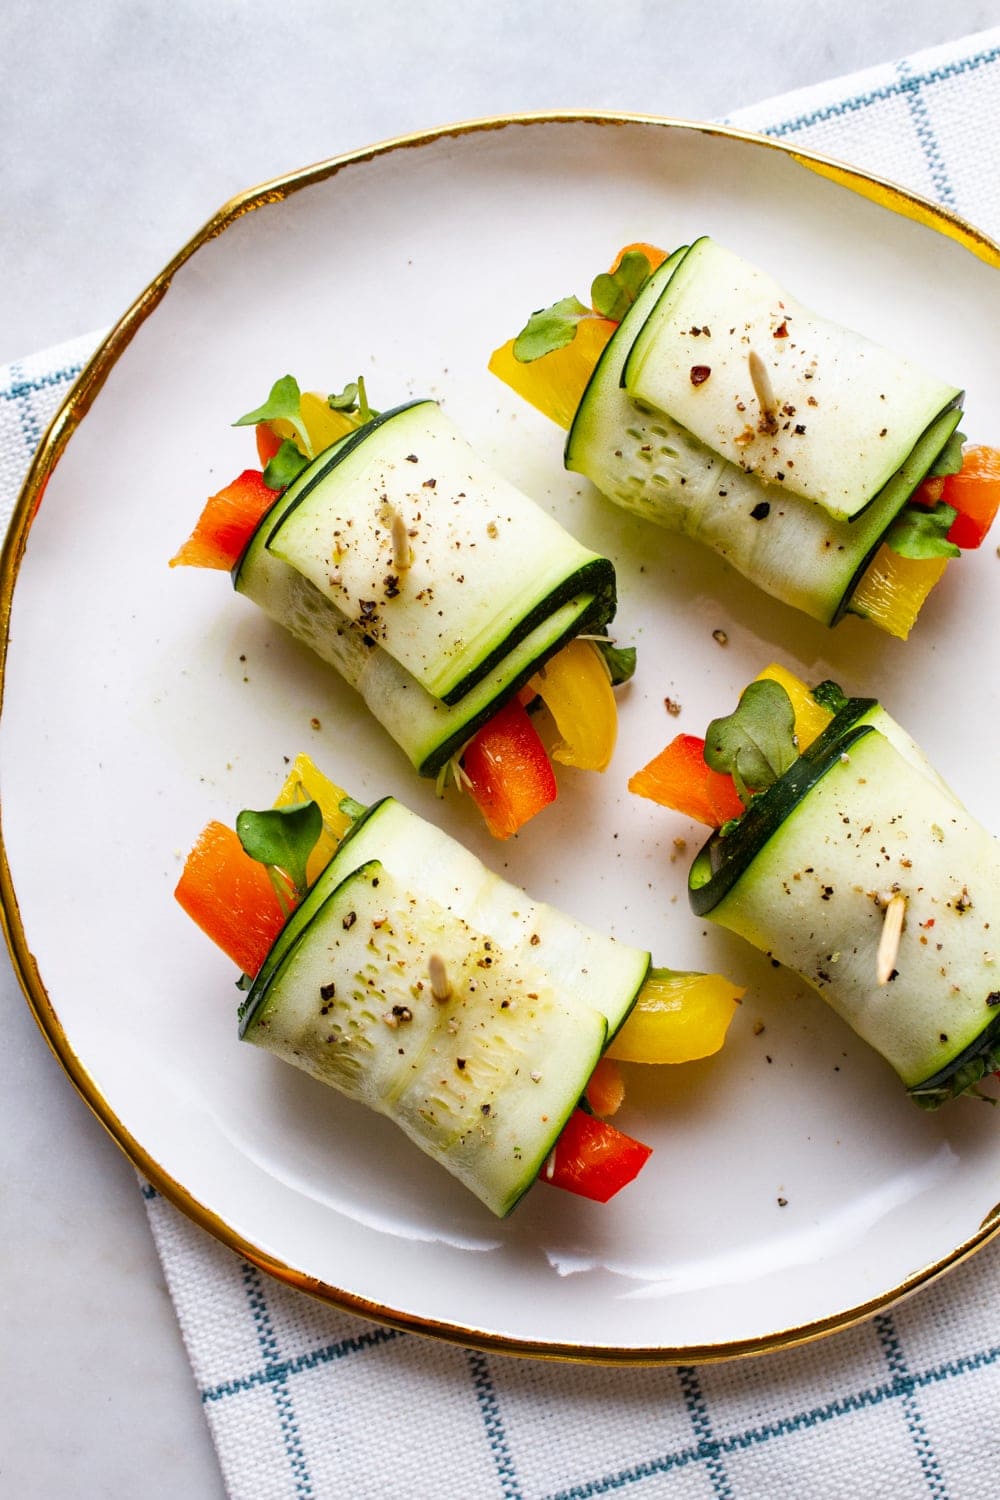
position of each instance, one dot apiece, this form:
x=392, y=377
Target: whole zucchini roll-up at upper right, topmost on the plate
x=713, y=403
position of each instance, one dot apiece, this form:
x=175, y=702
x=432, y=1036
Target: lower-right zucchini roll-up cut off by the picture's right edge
x=845, y=856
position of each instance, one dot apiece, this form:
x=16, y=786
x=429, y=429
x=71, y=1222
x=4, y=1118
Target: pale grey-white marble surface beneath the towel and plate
x=119, y=140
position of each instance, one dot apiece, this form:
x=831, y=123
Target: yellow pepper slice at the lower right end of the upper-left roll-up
x=576, y=689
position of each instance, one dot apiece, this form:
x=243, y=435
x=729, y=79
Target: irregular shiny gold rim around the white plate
x=73, y=412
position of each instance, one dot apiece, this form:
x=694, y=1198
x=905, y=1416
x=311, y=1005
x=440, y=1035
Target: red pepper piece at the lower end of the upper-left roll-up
x=509, y=772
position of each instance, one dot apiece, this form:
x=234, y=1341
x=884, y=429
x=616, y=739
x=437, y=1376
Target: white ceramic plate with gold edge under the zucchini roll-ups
x=794, y=1189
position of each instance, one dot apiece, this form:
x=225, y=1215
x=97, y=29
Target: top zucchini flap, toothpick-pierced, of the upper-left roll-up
x=437, y=557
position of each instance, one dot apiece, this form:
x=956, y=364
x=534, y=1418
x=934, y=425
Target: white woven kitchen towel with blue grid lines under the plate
x=307, y=1402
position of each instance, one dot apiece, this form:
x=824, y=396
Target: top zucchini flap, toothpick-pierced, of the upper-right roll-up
x=833, y=416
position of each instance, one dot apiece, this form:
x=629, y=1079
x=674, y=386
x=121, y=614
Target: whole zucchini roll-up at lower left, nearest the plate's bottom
x=386, y=961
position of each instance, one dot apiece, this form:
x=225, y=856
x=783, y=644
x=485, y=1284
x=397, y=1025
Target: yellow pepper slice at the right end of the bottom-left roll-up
x=678, y=1018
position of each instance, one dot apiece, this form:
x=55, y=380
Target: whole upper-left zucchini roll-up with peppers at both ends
x=439, y=592
